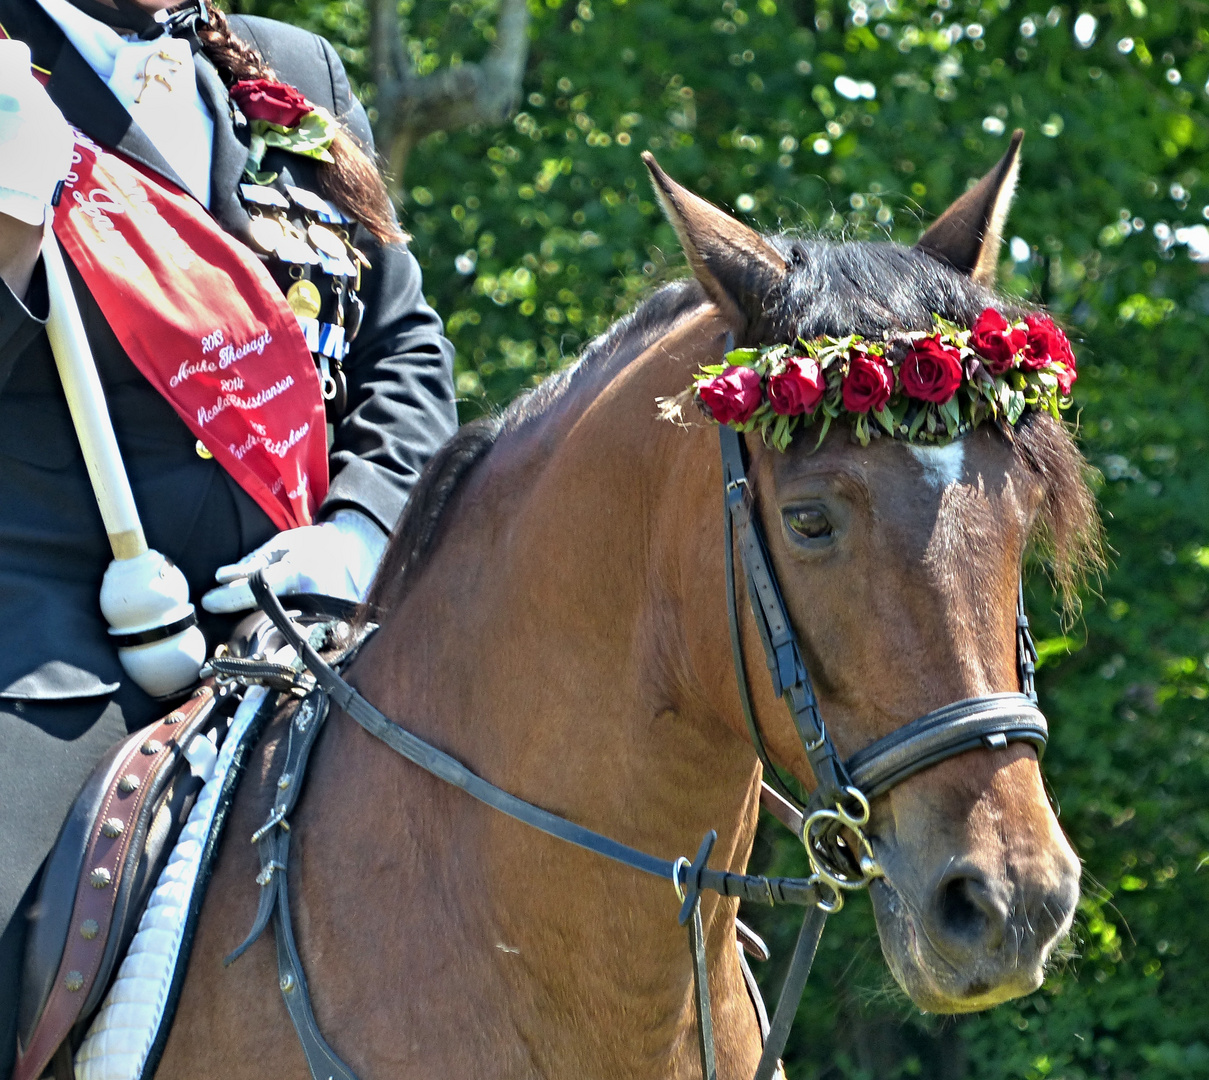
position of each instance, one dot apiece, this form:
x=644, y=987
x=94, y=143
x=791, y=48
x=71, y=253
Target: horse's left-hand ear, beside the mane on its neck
x=736, y=264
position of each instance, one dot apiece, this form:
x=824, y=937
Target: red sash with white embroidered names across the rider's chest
x=203, y=320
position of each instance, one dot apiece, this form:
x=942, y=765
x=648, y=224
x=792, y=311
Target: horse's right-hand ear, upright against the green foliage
x=969, y=234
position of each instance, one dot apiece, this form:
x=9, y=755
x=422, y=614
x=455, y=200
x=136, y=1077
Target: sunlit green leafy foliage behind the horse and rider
x=867, y=120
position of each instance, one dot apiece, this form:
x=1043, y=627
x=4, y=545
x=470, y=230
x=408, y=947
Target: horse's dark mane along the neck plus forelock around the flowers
x=834, y=288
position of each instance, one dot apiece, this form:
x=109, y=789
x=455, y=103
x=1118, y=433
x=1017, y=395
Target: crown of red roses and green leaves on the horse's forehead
x=917, y=386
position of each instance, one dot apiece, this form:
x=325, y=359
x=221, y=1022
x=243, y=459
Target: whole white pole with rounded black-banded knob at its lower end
x=144, y=597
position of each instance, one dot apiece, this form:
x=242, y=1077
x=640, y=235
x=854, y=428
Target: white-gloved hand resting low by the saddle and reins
x=338, y=558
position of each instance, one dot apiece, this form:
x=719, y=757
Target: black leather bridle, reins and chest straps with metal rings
x=831, y=824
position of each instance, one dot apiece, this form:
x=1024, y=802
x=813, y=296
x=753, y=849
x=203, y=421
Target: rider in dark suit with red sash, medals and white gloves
x=221, y=117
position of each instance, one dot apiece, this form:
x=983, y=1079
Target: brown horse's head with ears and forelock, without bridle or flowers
x=900, y=565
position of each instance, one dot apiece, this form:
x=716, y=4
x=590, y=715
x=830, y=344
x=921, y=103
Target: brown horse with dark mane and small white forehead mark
x=553, y=615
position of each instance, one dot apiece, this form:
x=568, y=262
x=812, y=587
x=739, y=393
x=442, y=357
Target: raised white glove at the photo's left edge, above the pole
x=36, y=141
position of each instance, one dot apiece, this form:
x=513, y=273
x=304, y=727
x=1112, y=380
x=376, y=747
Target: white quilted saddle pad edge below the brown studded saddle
x=125, y=1041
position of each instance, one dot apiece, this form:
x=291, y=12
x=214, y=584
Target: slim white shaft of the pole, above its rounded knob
x=86, y=401
